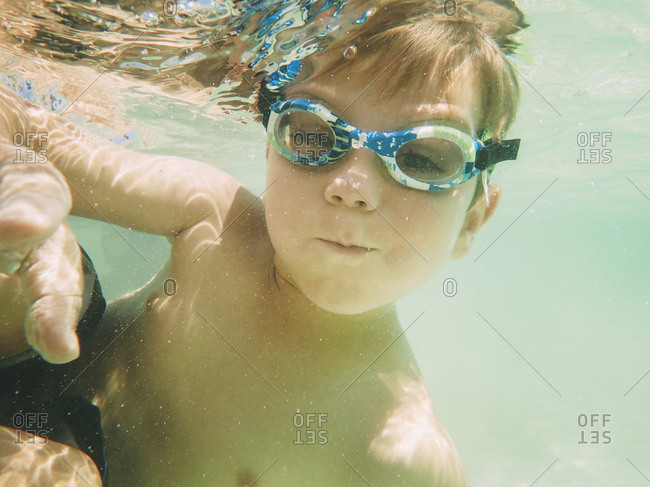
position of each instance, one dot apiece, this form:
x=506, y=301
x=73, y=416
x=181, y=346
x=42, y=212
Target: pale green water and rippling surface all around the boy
x=534, y=346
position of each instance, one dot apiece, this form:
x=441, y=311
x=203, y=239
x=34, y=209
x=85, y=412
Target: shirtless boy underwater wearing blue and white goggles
x=277, y=360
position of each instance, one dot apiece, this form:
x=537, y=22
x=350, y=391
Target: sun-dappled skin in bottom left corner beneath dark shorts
x=43, y=462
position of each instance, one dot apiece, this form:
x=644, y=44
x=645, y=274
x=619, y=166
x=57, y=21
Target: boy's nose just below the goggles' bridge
x=356, y=182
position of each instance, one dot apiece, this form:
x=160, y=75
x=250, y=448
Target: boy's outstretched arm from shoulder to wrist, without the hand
x=154, y=194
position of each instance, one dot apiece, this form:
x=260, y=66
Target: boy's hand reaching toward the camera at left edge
x=39, y=250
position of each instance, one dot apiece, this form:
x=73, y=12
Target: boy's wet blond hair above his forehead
x=423, y=45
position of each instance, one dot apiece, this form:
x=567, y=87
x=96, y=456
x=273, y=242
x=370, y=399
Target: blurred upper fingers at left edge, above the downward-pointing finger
x=34, y=200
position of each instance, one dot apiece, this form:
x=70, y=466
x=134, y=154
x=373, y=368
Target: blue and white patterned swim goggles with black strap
x=428, y=157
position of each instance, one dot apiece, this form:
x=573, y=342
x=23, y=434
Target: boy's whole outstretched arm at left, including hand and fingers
x=38, y=253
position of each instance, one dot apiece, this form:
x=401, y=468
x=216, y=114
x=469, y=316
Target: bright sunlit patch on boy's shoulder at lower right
x=413, y=436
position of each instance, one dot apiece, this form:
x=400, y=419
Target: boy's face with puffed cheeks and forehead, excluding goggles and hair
x=348, y=235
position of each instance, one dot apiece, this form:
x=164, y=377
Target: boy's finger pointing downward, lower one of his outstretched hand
x=53, y=283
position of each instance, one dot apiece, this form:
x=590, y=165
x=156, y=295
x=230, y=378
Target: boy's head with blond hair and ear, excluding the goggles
x=349, y=235
